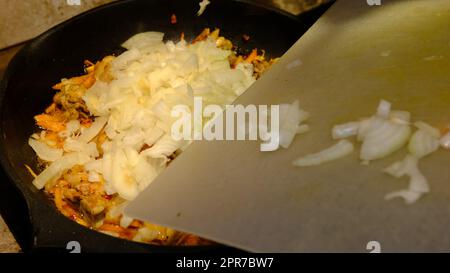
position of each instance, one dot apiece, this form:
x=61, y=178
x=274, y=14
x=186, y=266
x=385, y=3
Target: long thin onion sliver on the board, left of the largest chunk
x=338, y=150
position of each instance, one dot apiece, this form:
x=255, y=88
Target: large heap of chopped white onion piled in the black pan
x=134, y=108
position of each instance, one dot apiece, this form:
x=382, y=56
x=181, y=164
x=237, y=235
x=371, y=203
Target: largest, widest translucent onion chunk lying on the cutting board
x=382, y=138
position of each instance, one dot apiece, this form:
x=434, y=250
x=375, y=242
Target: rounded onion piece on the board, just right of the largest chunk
x=424, y=141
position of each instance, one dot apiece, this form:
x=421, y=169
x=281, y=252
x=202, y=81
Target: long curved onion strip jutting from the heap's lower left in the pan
x=56, y=169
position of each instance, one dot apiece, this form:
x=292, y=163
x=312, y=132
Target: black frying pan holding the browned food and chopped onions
x=25, y=91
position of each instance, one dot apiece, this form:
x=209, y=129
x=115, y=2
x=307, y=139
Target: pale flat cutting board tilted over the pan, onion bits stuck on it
x=355, y=55
